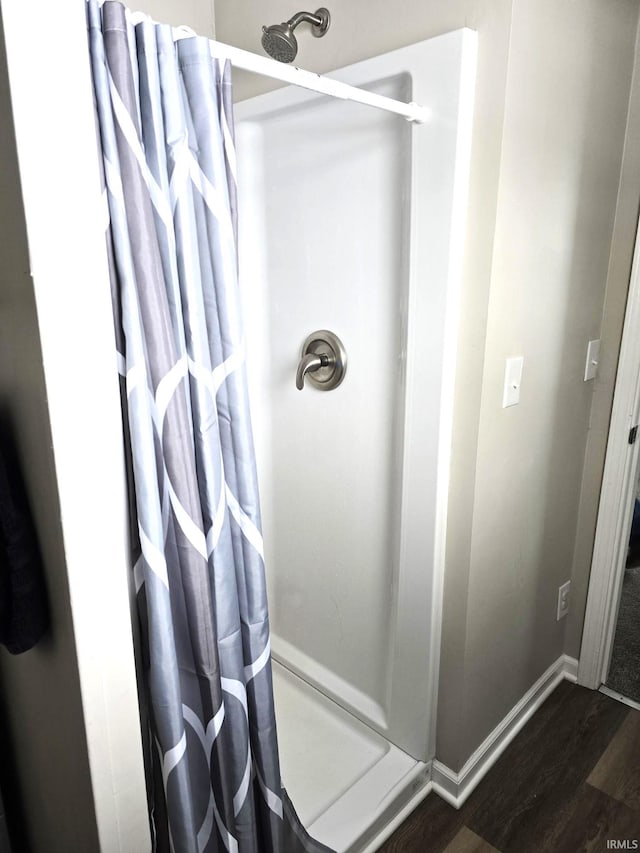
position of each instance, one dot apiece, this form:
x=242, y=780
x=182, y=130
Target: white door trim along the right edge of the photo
x=616, y=500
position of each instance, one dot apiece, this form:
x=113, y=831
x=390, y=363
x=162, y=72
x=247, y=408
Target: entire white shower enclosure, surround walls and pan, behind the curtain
x=352, y=220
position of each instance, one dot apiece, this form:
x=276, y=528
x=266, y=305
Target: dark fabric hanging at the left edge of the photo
x=23, y=601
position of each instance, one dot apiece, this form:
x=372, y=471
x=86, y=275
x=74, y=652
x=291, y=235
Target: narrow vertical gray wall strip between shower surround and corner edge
x=494, y=45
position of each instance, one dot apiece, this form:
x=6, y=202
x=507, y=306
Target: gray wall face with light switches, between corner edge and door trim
x=565, y=122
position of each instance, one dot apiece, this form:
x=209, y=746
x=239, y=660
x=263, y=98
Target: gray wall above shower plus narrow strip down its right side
x=363, y=28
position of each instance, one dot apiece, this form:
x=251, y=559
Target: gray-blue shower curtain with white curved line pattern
x=165, y=127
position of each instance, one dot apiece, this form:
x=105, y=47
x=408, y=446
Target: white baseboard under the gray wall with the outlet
x=456, y=787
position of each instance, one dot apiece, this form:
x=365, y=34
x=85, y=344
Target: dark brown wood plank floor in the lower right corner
x=569, y=782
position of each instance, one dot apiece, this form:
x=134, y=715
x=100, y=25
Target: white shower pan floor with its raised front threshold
x=347, y=782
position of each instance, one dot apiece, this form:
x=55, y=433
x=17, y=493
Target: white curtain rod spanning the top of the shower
x=306, y=79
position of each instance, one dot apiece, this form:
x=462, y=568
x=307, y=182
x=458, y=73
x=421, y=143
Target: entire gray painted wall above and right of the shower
x=553, y=88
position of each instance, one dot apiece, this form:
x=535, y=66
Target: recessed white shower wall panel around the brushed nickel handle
x=335, y=182
